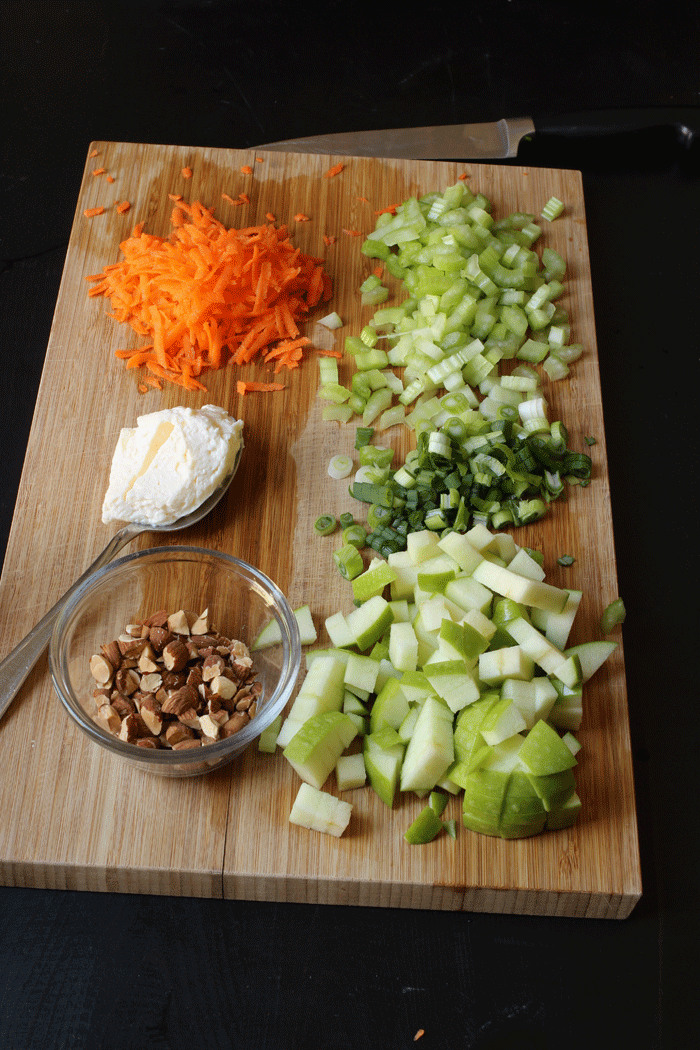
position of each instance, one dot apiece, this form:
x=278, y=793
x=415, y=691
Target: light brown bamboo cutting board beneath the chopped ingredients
x=74, y=816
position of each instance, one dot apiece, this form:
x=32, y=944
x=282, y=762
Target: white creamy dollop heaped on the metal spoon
x=169, y=464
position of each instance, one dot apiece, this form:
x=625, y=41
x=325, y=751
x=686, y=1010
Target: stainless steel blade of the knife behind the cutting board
x=451, y=142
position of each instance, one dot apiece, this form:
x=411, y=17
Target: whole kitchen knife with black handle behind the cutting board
x=499, y=140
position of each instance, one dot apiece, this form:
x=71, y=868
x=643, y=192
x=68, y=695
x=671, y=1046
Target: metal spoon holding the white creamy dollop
x=17, y=666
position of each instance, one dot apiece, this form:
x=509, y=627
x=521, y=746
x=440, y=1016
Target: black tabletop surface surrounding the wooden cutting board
x=111, y=973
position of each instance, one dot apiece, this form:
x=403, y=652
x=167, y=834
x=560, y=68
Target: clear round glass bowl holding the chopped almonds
x=241, y=600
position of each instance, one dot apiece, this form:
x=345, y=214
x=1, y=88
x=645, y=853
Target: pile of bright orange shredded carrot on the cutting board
x=208, y=297
